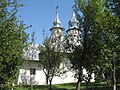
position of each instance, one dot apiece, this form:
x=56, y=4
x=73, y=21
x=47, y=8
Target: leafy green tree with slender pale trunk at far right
x=111, y=44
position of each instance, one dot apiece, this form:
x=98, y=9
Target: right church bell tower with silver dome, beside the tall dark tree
x=73, y=32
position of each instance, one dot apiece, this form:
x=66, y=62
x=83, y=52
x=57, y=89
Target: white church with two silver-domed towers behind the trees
x=31, y=72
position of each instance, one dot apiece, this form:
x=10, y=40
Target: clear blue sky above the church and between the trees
x=41, y=13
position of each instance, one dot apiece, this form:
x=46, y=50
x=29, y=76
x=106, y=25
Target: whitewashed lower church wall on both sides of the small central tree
x=39, y=77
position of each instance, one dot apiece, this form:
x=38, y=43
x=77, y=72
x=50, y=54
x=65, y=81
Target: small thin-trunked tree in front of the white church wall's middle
x=50, y=61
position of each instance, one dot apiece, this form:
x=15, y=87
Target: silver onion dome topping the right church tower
x=73, y=23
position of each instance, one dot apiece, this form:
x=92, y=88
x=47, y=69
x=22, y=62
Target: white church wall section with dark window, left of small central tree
x=38, y=78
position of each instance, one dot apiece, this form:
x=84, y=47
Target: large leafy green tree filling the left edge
x=12, y=41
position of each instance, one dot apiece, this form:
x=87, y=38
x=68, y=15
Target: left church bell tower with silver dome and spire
x=56, y=37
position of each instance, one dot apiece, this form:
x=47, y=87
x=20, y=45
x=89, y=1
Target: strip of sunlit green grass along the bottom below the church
x=68, y=86
